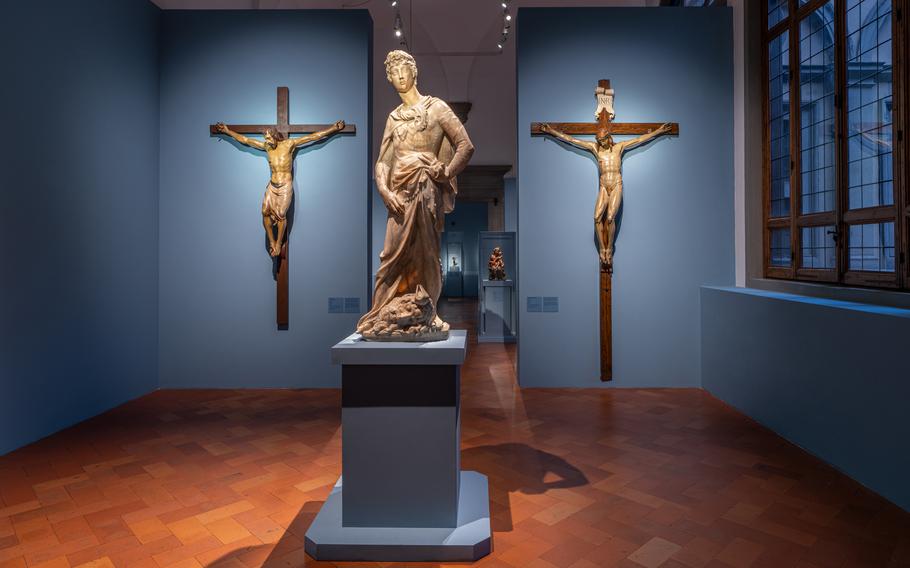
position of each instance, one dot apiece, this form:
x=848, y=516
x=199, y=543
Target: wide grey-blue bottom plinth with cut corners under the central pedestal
x=328, y=539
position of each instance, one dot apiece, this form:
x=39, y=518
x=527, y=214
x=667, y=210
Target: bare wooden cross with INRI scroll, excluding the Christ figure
x=605, y=125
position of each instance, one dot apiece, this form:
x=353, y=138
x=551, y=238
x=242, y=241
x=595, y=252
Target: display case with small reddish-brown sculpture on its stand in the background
x=497, y=261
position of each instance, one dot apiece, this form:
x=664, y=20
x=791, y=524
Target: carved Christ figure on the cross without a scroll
x=280, y=189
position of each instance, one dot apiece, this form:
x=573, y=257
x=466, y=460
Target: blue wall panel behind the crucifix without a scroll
x=217, y=295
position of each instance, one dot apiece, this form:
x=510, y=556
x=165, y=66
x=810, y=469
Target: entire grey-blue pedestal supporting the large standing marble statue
x=402, y=496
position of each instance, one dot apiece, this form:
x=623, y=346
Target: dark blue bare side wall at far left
x=79, y=242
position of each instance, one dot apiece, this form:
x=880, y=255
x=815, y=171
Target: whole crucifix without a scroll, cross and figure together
x=279, y=191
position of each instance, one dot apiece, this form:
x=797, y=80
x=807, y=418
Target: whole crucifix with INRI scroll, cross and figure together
x=609, y=165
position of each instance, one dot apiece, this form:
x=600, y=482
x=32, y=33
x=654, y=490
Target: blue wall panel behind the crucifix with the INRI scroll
x=676, y=228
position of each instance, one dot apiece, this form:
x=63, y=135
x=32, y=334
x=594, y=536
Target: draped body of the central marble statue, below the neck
x=410, y=256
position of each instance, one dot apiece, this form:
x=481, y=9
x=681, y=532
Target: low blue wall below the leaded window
x=829, y=376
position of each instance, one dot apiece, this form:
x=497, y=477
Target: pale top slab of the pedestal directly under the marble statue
x=353, y=350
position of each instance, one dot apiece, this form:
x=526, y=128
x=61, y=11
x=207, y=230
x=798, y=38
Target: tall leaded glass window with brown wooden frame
x=836, y=207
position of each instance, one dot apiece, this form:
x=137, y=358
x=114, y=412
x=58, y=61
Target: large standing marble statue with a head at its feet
x=423, y=148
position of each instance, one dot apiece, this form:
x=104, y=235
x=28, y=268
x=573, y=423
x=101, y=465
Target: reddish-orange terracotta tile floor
x=581, y=478
